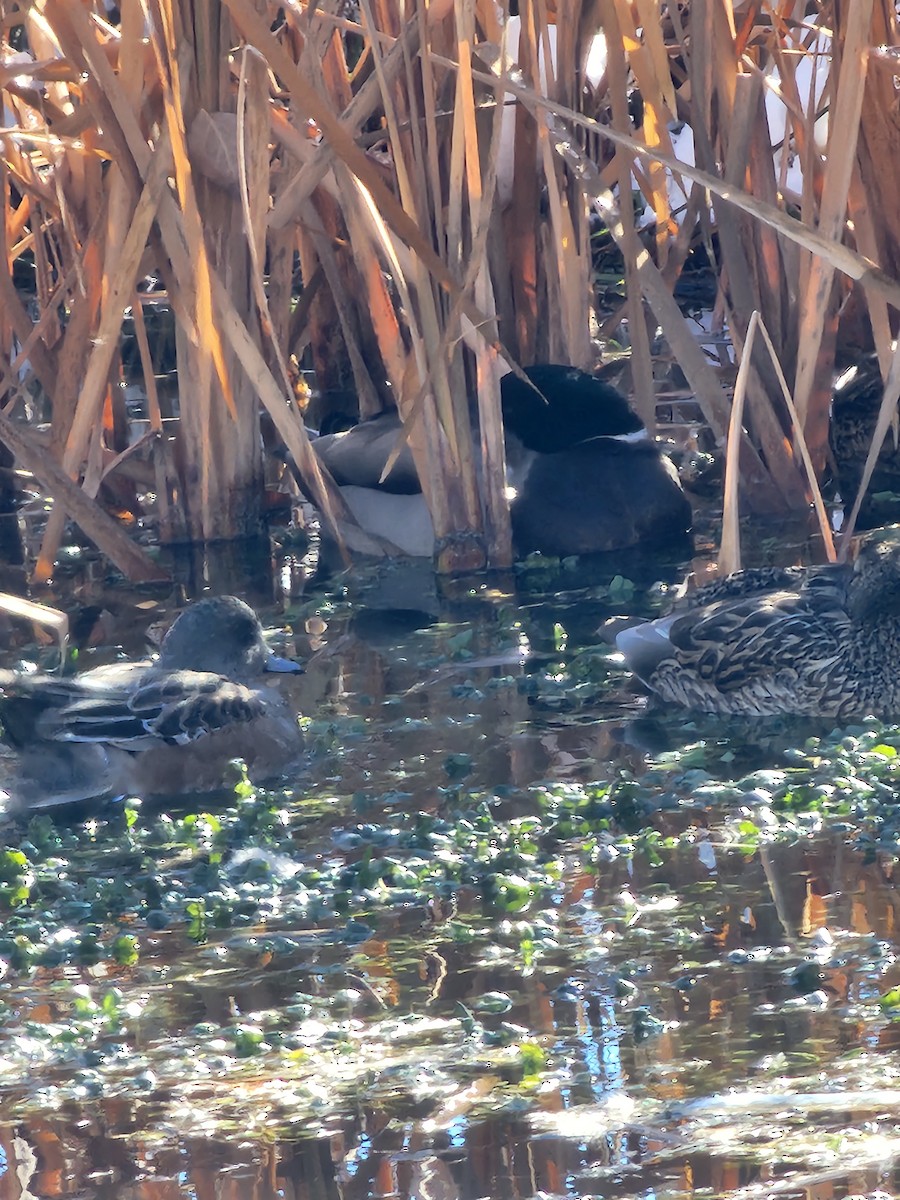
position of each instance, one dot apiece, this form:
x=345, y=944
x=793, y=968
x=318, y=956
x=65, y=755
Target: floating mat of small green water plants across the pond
x=289, y=959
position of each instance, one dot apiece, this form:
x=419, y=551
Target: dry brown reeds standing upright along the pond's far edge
x=327, y=182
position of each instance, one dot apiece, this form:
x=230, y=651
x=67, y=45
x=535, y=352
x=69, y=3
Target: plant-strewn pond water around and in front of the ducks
x=507, y=937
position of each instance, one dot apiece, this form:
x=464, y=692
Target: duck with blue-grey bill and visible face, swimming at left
x=154, y=729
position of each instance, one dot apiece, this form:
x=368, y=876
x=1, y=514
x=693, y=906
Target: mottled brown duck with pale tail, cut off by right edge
x=820, y=643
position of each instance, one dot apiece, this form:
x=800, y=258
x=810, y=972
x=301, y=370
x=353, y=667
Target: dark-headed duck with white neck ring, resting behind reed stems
x=585, y=475
